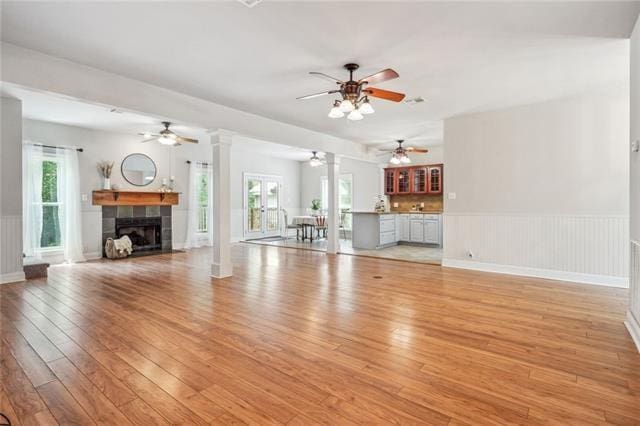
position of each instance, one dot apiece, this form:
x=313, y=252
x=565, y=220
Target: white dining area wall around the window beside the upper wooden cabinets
x=366, y=182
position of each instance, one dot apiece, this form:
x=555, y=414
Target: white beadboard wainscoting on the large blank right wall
x=590, y=249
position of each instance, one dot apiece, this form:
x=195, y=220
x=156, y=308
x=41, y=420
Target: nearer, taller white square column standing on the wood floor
x=221, y=265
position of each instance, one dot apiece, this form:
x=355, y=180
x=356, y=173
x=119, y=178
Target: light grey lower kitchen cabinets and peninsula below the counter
x=374, y=230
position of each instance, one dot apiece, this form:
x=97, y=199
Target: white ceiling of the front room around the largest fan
x=461, y=57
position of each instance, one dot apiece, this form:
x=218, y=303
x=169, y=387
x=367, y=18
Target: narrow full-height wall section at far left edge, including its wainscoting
x=10, y=190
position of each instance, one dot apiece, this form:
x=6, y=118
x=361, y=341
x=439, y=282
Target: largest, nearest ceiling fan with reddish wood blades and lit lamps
x=355, y=94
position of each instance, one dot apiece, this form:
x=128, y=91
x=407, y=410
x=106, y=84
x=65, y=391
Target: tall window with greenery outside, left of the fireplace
x=50, y=237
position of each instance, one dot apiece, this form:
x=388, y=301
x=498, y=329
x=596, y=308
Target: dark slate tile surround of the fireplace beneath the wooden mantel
x=148, y=216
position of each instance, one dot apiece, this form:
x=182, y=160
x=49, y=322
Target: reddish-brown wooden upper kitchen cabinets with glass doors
x=425, y=179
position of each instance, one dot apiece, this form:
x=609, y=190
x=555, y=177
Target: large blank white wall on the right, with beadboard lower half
x=541, y=189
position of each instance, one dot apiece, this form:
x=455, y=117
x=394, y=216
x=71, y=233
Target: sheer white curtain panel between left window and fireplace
x=69, y=213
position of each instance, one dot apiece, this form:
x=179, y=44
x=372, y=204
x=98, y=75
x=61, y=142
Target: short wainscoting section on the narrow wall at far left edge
x=11, y=249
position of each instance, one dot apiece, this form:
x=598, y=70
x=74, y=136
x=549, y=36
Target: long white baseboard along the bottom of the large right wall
x=604, y=280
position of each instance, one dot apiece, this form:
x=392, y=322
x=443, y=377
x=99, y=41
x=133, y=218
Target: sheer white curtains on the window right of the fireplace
x=196, y=238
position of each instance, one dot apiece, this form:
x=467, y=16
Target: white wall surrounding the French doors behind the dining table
x=246, y=160
